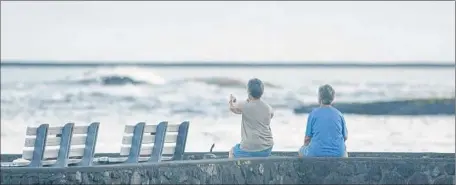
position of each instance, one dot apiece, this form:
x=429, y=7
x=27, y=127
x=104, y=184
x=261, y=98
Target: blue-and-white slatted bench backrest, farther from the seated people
x=60, y=143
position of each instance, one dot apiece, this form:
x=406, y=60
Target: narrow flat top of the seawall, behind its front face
x=221, y=155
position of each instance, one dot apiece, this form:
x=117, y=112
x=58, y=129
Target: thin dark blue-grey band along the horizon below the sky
x=215, y=63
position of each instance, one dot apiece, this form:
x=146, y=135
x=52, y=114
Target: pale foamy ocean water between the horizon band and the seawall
x=116, y=96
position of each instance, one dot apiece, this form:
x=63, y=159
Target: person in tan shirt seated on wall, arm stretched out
x=256, y=135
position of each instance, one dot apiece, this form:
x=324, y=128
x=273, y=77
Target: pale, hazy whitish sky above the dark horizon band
x=255, y=31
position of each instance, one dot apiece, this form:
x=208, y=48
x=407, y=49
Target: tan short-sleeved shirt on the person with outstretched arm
x=256, y=132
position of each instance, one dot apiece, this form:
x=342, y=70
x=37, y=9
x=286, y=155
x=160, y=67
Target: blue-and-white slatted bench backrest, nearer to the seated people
x=159, y=141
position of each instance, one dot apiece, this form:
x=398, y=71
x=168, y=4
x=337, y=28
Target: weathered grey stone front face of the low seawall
x=272, y=170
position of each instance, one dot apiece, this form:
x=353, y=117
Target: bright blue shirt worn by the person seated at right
x=326, y=127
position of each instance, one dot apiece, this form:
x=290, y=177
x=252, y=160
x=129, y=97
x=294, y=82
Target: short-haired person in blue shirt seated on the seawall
x=326, y=131
